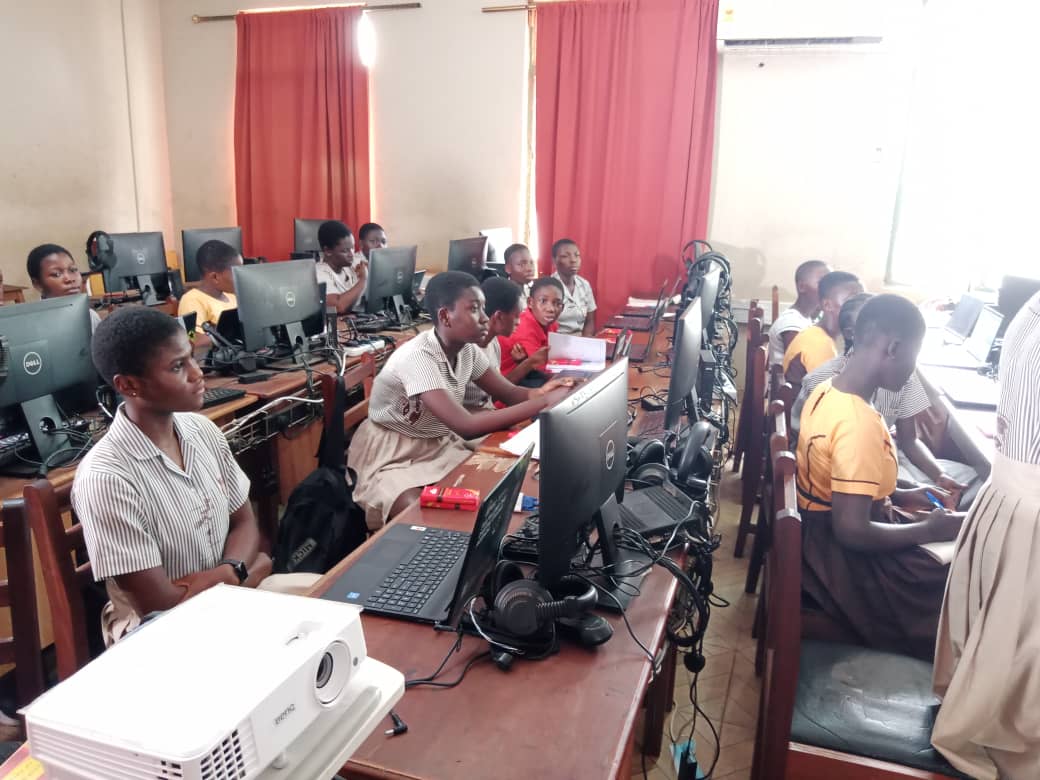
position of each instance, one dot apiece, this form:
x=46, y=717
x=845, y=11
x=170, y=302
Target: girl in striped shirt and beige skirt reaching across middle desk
x=417, y=427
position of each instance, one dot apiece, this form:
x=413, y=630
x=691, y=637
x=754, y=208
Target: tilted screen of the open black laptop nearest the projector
x=486, y=541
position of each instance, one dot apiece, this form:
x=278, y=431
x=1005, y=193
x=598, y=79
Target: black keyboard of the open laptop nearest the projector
x=407, y=589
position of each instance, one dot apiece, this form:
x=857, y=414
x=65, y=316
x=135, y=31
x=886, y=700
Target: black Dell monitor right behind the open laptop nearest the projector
x=584, y=443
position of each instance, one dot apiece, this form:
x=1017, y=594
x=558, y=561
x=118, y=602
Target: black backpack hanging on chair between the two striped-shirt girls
x=322, y=524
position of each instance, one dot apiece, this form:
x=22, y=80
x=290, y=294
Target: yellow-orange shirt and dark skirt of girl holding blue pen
x=891, y=600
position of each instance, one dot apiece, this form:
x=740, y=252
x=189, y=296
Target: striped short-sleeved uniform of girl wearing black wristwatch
x=141, y=511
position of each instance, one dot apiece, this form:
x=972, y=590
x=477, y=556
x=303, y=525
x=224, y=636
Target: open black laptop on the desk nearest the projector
x=426, y=575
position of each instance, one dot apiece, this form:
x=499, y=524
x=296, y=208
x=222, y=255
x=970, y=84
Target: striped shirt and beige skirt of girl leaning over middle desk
x=403, y=445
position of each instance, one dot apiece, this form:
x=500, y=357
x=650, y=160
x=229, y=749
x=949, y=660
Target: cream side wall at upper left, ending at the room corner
x=70, y=167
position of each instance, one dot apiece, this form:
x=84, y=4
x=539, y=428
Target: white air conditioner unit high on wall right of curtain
x=746, y=24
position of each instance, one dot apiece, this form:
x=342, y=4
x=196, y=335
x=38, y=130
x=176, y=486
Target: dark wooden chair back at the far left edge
x=18, y=593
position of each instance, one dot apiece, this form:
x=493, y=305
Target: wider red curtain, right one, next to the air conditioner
x=626, y=121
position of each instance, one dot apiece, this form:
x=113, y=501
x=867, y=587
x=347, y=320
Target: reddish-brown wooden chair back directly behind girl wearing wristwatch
x=66, y=581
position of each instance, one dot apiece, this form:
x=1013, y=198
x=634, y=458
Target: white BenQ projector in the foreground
x=235, y=684
